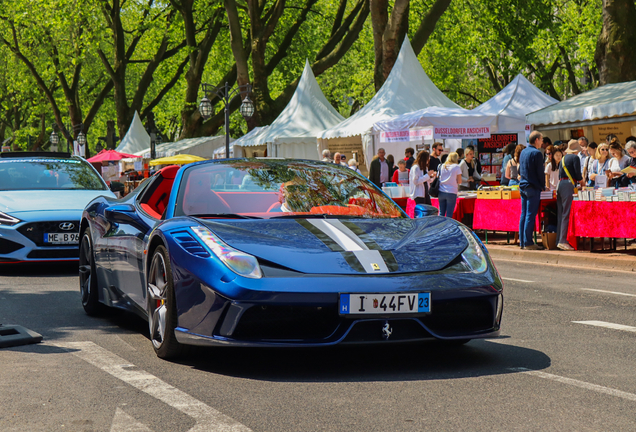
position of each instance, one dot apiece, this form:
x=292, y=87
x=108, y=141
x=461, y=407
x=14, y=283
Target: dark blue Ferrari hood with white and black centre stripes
x=347, y=246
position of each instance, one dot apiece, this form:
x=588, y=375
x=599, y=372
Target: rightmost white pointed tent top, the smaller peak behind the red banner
x=513, y=103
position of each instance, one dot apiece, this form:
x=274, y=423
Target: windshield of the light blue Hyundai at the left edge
x=49, y=174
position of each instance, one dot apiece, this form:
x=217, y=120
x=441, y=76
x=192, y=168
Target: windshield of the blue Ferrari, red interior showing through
x=275, y=188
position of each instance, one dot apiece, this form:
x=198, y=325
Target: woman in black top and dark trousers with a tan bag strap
x=570, y=175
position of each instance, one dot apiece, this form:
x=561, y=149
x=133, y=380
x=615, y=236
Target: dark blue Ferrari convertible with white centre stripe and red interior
x=276, y=252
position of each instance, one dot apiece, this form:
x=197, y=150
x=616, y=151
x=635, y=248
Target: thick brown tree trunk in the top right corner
x=615, y=56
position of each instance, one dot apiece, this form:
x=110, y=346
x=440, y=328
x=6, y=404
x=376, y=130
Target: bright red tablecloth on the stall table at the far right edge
x=601, y=219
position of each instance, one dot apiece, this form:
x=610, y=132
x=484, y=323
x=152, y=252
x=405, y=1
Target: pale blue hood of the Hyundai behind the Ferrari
x=13, y=202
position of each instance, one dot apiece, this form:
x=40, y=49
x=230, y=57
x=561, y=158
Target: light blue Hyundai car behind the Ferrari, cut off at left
x=42, y=196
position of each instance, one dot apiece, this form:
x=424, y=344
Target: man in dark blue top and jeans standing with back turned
x=531, y=184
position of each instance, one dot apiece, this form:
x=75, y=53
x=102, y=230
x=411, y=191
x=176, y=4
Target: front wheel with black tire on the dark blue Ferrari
x=161, y=306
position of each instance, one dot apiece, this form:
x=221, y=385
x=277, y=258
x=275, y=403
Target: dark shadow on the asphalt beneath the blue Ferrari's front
x=397, y=362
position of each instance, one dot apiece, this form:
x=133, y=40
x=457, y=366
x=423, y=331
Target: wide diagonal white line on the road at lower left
x=207, y=418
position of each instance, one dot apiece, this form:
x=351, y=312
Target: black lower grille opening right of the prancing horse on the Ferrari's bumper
x=461, y=317
